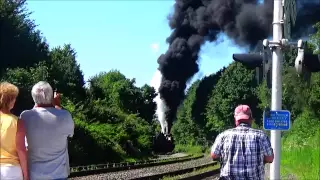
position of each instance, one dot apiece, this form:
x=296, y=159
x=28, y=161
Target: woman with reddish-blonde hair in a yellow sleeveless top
x=13, y=159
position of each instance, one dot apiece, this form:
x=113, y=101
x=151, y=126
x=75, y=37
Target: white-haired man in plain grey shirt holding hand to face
x=47, y=130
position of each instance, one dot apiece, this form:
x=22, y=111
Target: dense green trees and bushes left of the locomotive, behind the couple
x=113, y=117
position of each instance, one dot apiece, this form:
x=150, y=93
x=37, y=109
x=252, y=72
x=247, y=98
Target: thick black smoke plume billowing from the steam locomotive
x=196, y=21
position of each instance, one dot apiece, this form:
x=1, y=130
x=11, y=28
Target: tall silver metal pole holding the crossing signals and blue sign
x=276, y=101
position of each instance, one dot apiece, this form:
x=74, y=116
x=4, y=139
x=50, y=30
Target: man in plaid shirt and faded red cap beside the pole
x=242, y=150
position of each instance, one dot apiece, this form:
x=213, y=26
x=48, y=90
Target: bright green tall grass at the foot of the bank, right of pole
x=301, y=160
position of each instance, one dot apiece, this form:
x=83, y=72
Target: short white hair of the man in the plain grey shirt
x=42, y=93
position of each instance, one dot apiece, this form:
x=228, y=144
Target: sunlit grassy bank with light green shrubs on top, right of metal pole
x=301, y=149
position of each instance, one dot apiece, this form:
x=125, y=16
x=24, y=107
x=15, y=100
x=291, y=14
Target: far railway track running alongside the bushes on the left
x=114, y=167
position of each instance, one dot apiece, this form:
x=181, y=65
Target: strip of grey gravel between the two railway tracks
x=135, y=173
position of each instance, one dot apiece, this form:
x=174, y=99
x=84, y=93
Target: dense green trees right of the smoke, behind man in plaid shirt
x=208, y=107
